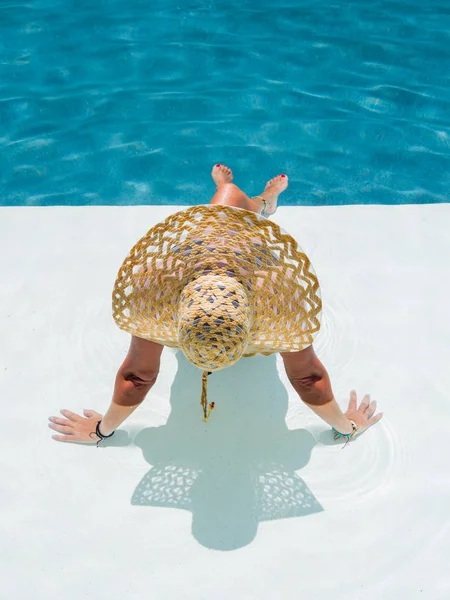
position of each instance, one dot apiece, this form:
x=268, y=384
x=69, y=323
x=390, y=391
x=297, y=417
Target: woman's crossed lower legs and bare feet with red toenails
x=228, y=194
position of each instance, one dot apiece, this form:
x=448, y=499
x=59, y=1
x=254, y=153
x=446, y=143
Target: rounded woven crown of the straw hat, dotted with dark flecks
x=214, y=321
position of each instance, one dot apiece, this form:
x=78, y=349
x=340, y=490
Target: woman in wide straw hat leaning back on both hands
x=140, y=368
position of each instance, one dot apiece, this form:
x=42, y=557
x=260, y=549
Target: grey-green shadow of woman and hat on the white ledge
x=238, y=468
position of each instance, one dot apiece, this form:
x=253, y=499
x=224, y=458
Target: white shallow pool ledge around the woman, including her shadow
x=260, y=502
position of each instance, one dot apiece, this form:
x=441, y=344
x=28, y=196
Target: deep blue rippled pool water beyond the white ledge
x=132, y=102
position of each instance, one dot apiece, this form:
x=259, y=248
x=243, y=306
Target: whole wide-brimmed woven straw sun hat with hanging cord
x=219, y=282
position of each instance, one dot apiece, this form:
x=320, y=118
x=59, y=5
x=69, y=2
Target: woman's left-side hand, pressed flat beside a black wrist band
x=76, y=428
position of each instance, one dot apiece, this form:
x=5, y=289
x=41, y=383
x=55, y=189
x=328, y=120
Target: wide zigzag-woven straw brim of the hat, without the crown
x=214, y=239
